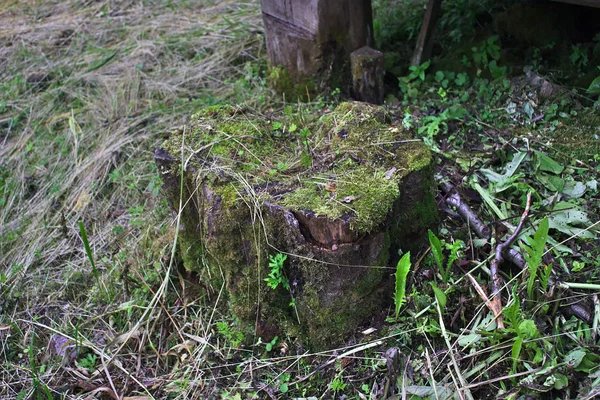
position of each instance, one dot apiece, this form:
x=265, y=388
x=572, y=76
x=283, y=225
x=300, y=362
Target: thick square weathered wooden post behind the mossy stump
x=313, y=39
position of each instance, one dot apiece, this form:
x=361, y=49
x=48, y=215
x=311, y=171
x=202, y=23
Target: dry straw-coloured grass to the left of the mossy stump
x=88, y=90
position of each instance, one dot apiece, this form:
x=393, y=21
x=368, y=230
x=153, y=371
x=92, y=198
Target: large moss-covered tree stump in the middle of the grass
x=339, y=195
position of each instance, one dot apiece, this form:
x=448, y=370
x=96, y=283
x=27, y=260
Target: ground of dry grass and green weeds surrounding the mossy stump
x=94, y=304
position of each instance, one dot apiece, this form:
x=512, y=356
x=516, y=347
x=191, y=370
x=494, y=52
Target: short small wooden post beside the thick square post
x=367, y=75
